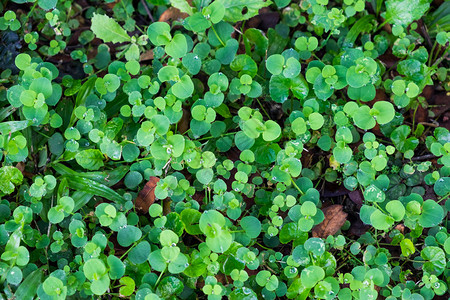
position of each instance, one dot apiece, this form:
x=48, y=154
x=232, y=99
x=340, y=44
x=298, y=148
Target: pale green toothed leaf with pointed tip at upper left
x=108, y=29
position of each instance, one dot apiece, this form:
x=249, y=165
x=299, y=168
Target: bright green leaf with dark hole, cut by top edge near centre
x=240, y=10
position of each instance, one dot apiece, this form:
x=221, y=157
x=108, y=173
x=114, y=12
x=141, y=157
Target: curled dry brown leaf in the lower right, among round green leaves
x=335, y=217
